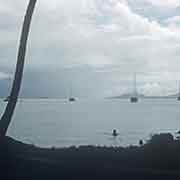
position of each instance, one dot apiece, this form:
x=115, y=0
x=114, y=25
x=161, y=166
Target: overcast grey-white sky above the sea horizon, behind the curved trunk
x=92, y=48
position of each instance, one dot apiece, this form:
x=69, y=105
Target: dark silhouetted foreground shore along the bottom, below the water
x=158, y=159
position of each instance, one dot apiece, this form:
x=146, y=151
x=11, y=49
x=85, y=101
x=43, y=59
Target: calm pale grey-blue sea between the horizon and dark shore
x=60, y=123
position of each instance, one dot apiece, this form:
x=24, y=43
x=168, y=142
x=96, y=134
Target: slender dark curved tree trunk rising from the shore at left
x=7, y=116
